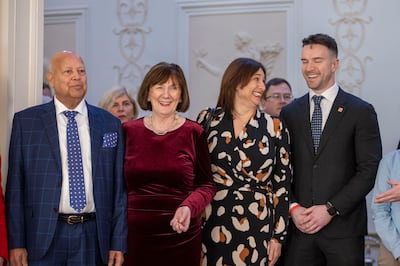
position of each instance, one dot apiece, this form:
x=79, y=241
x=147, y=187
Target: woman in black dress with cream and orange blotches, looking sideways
x=246, y=223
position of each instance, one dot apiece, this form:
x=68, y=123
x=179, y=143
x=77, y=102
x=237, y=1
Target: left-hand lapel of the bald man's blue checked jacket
x=49, y=120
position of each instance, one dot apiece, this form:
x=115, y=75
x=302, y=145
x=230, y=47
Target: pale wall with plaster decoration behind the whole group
x=171, y=30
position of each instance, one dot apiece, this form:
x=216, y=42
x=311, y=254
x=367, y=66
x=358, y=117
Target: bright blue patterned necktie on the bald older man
x=77, y=195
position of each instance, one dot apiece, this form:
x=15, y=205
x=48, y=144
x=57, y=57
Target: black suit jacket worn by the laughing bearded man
x=343, y=170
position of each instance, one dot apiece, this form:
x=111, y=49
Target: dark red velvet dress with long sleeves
x=164, y=172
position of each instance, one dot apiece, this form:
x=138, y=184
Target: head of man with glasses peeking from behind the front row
x=277, y=94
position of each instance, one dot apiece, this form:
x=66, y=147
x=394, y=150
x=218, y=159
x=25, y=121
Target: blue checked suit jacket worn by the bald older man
x=35, y=175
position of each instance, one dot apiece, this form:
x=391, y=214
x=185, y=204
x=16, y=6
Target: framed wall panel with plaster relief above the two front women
x=213, y=33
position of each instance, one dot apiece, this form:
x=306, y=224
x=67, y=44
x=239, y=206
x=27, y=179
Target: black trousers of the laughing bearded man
x=317, y=250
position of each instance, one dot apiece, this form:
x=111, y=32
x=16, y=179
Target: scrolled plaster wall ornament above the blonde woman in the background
x=132, y=15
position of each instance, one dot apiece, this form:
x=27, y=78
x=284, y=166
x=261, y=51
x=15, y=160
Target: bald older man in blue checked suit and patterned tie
x=44, y=225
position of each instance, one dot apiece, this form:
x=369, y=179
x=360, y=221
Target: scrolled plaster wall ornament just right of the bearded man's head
x=350, y=35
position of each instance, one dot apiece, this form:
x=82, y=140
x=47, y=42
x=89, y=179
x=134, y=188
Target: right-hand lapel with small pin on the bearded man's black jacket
x=335, y=116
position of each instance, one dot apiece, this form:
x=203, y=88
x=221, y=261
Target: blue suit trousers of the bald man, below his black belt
x=73, y=244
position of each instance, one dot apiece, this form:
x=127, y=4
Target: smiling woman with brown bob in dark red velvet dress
x=167, y=172
